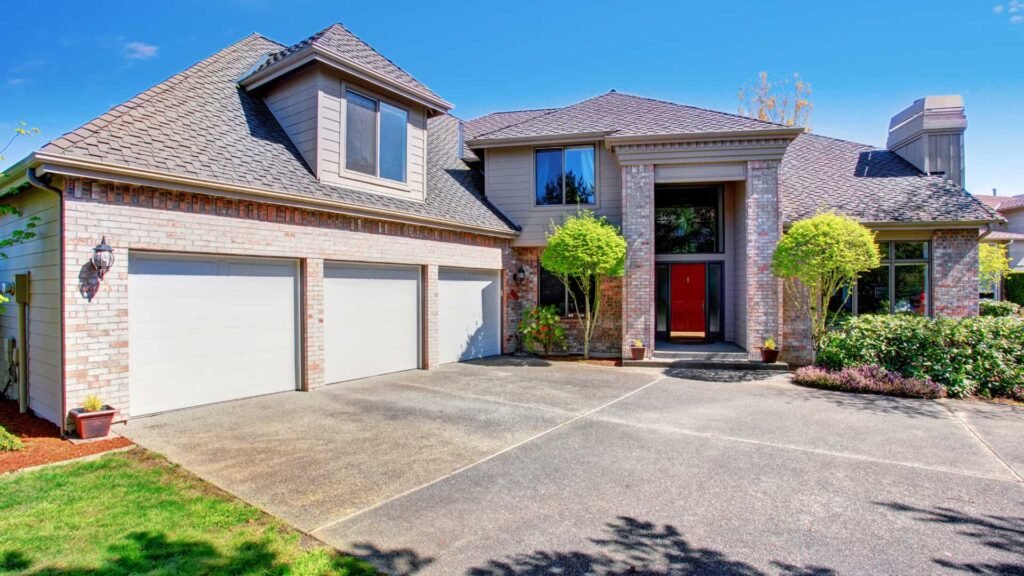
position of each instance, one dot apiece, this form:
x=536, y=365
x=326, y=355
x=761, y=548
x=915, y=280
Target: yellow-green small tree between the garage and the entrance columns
x=583, y=252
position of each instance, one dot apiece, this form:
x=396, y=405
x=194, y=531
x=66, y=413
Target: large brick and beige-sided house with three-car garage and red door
x=285, y=218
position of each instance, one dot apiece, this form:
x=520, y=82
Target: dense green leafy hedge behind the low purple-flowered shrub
x=968, y=356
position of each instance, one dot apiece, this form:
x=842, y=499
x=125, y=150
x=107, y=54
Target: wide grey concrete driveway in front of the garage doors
x=513, y=468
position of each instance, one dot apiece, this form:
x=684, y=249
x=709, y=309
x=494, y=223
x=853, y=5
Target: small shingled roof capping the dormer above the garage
x=346, y=47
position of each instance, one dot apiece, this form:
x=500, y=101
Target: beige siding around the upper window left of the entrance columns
x=509, y=186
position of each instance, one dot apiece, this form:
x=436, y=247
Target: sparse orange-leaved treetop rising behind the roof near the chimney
x=787, y=103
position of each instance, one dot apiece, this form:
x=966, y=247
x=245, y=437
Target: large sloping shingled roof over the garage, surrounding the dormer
x=200, y=125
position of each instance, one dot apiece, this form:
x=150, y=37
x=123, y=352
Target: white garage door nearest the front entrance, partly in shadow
x=471, y=314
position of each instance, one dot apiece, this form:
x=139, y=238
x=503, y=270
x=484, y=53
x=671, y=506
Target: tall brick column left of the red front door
x=638, y=285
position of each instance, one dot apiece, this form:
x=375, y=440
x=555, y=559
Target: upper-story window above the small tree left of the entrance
x=565, y=176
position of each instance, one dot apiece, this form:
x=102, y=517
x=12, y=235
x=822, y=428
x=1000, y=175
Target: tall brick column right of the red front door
x=764, y=228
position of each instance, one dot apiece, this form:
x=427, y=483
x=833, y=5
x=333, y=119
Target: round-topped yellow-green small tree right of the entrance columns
x=818, y=258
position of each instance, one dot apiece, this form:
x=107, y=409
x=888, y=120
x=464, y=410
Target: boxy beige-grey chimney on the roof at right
x=929, y=135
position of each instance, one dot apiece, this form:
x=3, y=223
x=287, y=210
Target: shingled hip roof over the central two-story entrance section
x=616, y=114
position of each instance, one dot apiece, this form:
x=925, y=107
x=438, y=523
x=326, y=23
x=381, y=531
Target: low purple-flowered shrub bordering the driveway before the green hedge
x=870, y=380
